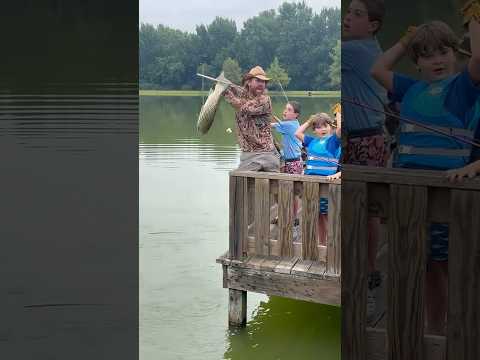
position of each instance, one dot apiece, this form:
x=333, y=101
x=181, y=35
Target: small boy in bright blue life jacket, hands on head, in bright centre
x=323, y=156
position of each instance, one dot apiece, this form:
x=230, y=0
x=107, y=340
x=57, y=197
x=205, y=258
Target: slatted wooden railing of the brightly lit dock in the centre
x=257, y=198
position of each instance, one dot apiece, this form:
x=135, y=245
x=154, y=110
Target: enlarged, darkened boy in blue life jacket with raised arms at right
x=443, y=99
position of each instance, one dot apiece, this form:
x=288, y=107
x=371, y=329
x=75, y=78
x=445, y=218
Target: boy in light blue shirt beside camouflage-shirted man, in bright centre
x=290, y=144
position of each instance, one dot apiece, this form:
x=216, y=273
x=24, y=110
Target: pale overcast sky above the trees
x=186, y=14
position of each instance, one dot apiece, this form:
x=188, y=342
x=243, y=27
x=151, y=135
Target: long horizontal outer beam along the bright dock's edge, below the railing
x=285, y=285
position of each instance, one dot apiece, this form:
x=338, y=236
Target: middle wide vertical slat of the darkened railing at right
x=406, y=280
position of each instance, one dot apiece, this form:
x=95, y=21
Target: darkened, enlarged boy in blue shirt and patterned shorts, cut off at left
x=365, y=139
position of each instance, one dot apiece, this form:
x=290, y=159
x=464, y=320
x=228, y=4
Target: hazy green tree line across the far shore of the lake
x=296, y=46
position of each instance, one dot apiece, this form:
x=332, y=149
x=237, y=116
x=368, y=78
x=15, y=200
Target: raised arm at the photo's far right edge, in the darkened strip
x=471, y=15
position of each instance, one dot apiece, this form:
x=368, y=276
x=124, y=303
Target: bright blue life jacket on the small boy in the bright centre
x=323, y=155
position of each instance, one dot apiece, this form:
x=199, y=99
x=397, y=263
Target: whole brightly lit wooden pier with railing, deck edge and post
x=278, y=259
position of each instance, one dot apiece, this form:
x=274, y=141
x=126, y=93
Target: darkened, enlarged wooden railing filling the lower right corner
x=408, y=201
